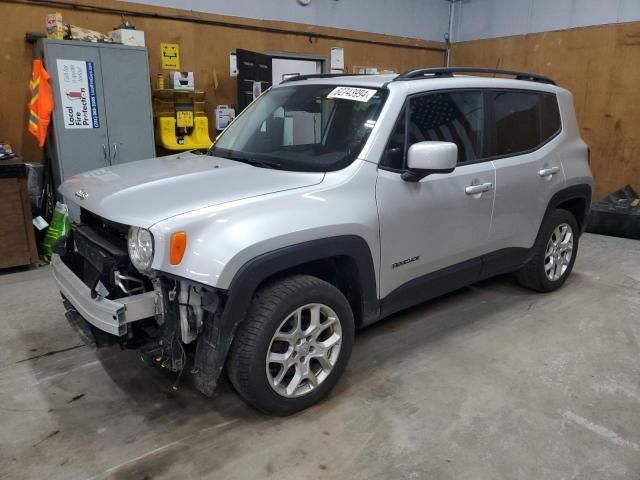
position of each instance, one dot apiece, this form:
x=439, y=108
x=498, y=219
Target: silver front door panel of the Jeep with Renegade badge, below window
x=442, y=221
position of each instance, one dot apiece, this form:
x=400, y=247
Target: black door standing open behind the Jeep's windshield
x=253, y=68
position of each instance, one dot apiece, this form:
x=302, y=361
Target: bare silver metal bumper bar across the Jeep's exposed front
x=110, y=316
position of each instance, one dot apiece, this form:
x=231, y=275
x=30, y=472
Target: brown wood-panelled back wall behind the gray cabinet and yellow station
x=203, y=49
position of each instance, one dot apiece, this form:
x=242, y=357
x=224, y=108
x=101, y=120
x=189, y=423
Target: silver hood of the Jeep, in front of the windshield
x=145, y=192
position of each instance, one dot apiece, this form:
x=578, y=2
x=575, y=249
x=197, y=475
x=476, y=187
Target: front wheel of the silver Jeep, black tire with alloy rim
x=321, y=353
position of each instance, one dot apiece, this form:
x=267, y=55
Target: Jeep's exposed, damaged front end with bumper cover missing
x=173, y=322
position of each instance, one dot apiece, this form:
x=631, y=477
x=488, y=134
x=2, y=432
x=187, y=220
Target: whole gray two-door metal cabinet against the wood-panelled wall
x=103, y=112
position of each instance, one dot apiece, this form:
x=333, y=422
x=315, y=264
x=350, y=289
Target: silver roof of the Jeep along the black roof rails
x=427, y=83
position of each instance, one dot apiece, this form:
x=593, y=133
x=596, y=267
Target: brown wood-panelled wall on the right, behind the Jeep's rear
x=601, y=67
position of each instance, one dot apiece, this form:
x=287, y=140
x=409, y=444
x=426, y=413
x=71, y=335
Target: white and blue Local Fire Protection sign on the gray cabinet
x=78, y=94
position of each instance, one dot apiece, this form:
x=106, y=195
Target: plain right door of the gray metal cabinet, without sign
x=125, y=75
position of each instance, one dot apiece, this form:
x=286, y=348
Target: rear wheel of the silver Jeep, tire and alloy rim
x=545, y=272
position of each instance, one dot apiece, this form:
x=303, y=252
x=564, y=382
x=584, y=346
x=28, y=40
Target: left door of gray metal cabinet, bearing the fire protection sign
x=81, y=142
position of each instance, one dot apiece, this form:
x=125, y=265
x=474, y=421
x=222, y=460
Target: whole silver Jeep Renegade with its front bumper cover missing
x=330, y=203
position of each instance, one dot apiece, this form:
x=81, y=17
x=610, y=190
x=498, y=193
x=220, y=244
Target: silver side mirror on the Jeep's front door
x=425, y=158
